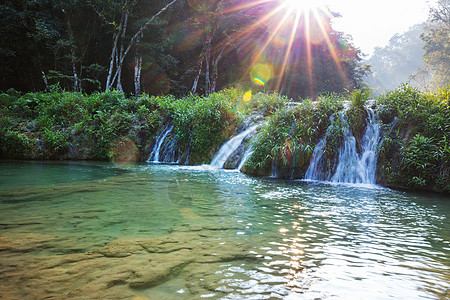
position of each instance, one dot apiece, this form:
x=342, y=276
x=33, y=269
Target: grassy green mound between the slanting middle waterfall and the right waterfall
x=287, y=141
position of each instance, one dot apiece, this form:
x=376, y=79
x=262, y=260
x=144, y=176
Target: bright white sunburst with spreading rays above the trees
x=289, y=18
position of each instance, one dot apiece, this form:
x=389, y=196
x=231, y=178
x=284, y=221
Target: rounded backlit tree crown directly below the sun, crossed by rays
x=314, y=58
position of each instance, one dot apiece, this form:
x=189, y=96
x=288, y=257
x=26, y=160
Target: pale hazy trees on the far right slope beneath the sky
x=420, y=56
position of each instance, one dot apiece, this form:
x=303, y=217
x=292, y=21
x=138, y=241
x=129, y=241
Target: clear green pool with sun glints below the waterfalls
x=272, y=239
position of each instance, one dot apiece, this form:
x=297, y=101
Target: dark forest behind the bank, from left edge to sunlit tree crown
x=174, y=47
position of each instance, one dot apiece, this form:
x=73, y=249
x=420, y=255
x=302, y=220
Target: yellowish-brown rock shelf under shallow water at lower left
x=118, y=270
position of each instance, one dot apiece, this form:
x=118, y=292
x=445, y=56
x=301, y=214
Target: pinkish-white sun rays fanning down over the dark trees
x=288, y=21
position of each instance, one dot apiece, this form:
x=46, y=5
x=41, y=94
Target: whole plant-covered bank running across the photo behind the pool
x=413, y=151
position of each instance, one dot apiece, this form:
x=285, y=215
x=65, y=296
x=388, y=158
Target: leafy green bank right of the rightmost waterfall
x=415, y=152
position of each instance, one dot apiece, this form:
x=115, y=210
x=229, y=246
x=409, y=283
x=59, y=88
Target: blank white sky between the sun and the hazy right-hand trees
x=372, y=23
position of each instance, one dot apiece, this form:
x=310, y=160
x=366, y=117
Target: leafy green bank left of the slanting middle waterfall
x=68, y=125
